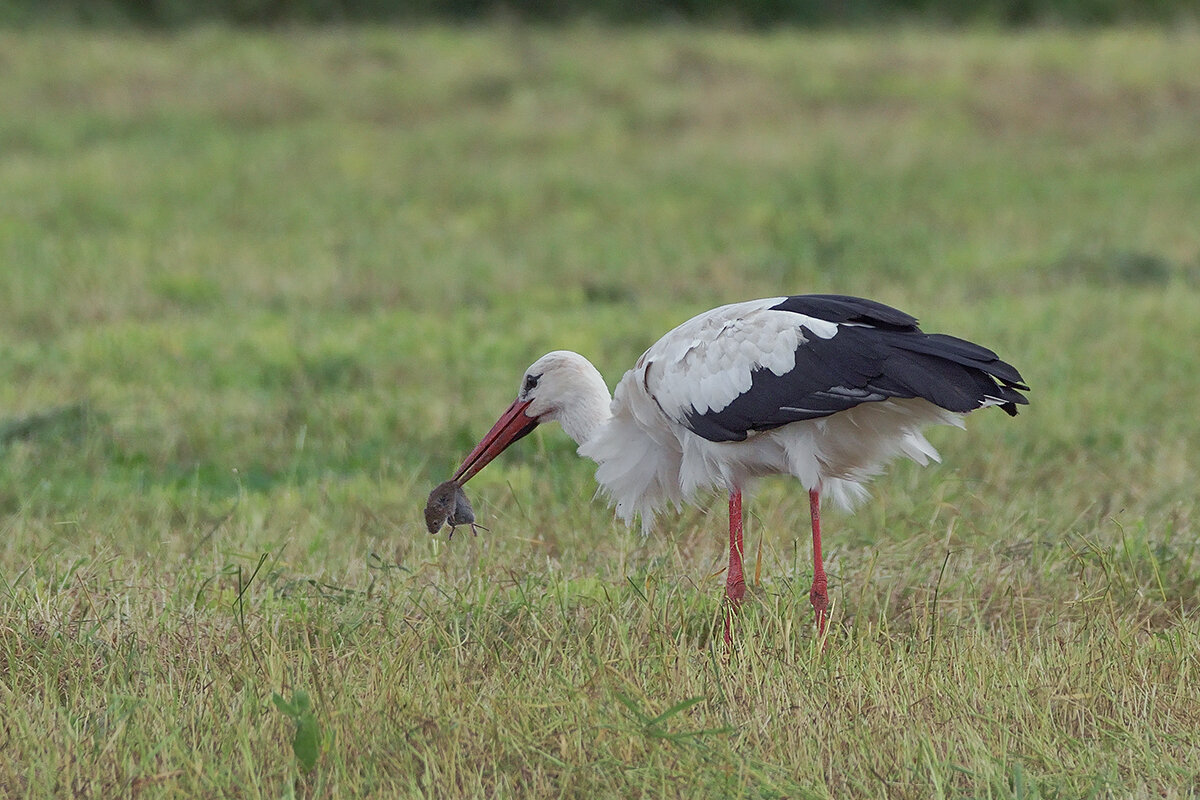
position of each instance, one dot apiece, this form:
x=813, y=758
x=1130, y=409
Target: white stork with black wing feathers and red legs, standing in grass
x=825, y=388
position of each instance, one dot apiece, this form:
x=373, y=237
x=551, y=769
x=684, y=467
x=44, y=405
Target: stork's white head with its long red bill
x=561, y=387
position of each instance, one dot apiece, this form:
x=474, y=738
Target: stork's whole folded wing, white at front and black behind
x=764, y=364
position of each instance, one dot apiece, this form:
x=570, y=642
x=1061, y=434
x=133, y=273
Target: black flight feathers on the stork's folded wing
x=878, y=353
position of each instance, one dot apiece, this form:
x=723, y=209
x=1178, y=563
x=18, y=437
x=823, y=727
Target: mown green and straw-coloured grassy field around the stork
x=260, y=293
